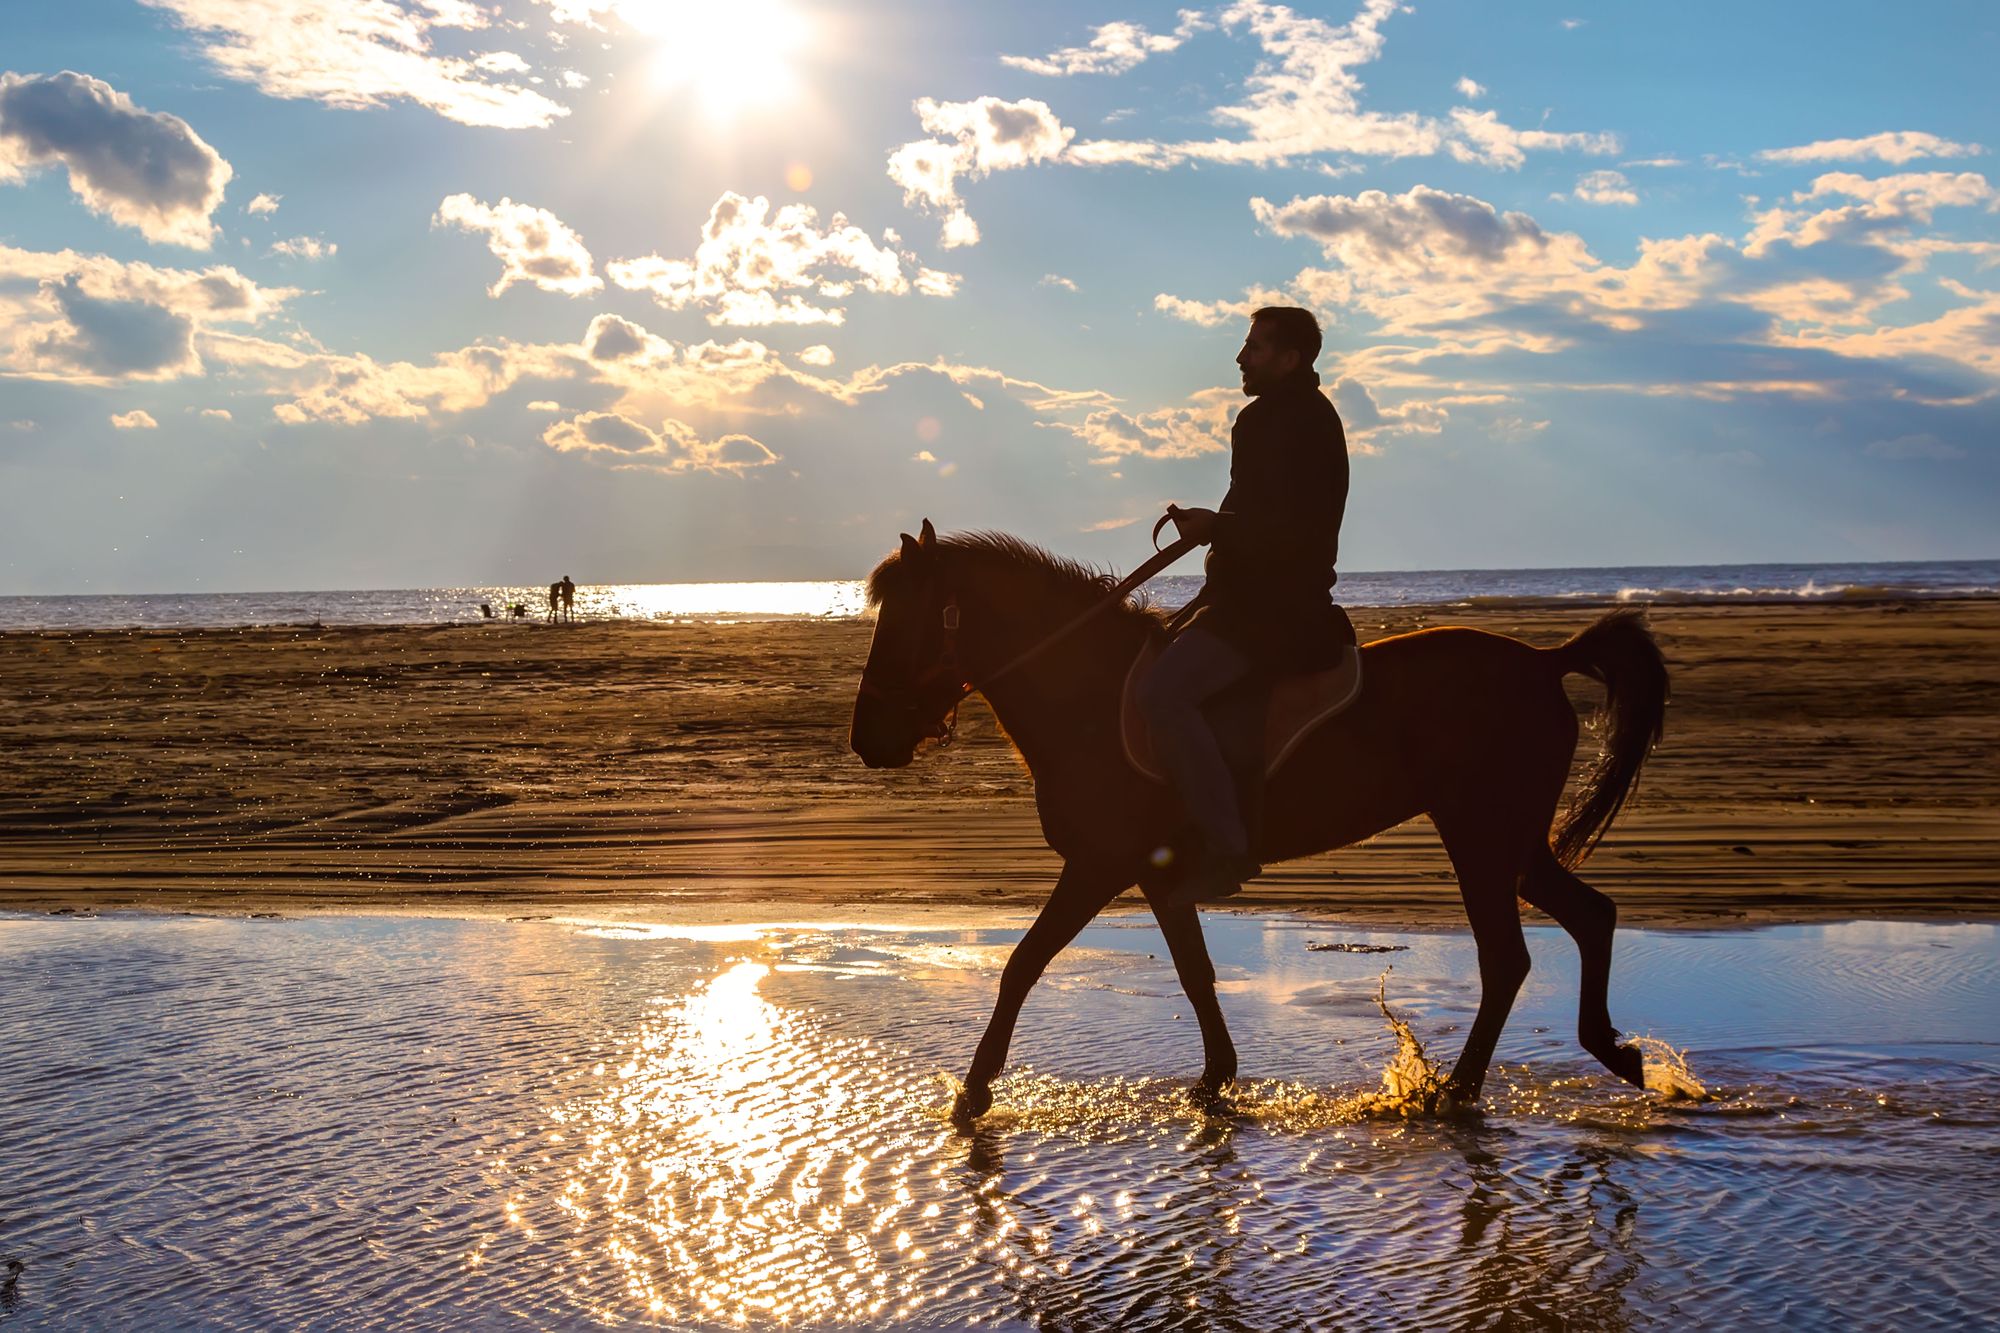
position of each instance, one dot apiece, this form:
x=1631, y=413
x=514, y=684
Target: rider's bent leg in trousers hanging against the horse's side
x=1195, y=670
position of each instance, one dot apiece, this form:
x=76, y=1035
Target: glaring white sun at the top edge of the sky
x=733, y=55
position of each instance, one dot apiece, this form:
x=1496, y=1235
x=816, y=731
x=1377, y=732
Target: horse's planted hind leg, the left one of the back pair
x=1489, y=868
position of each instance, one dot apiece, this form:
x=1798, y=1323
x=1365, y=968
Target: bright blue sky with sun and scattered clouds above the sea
x=401, y=293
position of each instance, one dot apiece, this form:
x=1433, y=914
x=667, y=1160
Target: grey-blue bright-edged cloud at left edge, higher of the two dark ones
x=141, y=169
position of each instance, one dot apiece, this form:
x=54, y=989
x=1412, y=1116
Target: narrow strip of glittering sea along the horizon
x=713, y=603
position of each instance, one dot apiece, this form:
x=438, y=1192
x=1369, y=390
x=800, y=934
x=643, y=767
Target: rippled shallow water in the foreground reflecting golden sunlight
x=445, y=1124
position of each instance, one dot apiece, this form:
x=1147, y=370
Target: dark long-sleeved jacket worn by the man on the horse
x=1271, y=563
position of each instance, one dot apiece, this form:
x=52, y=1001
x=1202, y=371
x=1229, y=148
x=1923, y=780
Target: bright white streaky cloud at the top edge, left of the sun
x=361, y=55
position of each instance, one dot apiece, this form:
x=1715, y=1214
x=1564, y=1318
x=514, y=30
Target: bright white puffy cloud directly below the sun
x=761, y=267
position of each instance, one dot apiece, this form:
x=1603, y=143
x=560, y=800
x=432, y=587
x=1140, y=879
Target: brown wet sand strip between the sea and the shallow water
x=1823, y=762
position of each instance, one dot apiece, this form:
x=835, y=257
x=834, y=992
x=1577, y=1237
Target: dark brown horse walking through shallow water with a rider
x=1463, y=726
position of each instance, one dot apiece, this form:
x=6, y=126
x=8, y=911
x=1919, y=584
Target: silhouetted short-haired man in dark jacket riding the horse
x=1267, y=605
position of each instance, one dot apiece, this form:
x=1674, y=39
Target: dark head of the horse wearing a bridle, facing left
x=913, y=682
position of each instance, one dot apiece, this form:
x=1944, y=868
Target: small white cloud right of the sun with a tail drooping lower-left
x=981, y=137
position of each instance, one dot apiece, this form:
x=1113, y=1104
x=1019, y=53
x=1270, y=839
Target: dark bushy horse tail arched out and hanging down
x=1621, y=653
